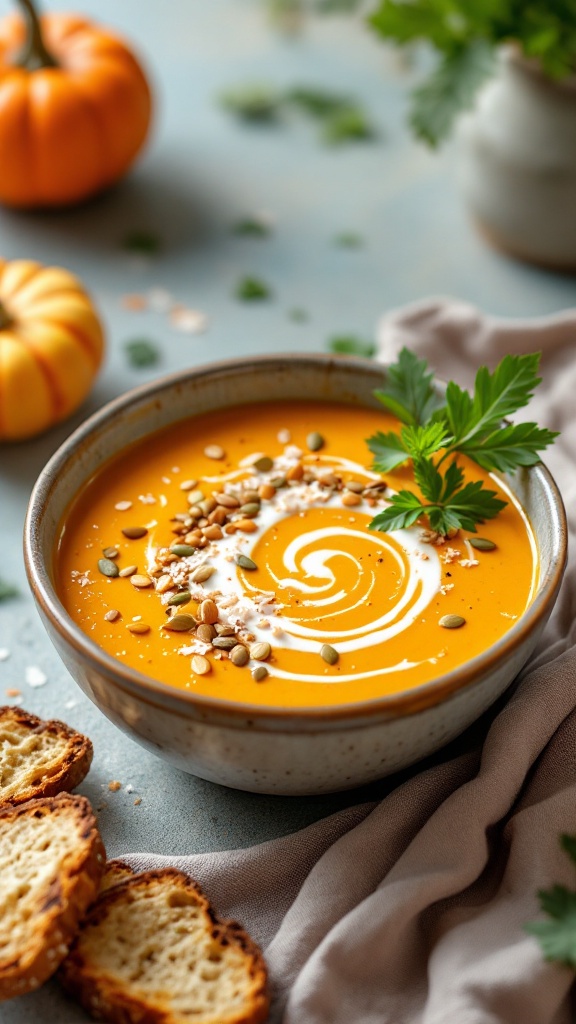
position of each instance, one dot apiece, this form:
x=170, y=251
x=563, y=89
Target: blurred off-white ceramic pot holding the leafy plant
x=518, y=163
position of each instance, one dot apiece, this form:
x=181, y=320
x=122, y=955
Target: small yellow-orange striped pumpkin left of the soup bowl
x=51, y=348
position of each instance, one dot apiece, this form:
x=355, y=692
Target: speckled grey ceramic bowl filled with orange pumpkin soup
x=201, y=557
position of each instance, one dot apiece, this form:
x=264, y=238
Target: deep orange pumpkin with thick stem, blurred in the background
x=75, y=109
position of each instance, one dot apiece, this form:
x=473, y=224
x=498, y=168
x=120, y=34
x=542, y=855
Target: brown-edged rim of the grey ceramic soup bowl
x=387, y=706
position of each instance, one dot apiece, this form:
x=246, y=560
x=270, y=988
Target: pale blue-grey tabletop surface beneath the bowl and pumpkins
x=202, y=173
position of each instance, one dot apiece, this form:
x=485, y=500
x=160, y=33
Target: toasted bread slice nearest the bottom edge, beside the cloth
x=153, y=951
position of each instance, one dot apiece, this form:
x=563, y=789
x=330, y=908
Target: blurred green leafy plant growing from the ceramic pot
x=466, y=34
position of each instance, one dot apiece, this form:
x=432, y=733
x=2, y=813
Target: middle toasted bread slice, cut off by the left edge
x=52, y=862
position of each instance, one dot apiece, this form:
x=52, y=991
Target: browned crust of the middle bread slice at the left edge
x=65, y=904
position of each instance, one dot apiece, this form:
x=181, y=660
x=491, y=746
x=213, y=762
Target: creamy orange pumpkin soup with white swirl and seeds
x=230, y=556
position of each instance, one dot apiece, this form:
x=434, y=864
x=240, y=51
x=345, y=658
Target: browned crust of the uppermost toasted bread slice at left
x=72, y=769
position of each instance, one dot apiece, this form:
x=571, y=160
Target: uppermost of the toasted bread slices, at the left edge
x=39, y=759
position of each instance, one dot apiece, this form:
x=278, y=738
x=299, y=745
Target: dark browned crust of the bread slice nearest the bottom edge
x=107, y=1000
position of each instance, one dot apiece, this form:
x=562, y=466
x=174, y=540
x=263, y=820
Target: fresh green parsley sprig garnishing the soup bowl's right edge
x=461, y=424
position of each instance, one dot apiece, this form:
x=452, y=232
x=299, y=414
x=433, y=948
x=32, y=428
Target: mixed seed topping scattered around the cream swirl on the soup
x=181, y=573
